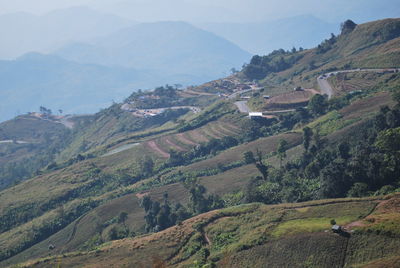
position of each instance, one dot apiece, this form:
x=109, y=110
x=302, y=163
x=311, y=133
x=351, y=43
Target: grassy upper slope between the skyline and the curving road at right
x=365, y=47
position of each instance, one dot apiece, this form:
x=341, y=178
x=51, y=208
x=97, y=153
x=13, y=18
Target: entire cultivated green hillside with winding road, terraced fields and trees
x=187, y=180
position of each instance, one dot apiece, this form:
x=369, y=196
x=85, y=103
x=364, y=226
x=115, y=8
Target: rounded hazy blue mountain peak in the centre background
x=170, y=47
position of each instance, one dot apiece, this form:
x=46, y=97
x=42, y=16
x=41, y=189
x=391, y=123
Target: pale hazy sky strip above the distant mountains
x=218, y=10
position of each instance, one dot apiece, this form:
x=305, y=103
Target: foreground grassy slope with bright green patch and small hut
x=258, y=236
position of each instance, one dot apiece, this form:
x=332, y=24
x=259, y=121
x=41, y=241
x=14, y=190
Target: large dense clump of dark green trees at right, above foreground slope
x=365, y=161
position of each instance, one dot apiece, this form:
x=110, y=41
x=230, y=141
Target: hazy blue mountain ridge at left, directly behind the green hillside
x=42, y=80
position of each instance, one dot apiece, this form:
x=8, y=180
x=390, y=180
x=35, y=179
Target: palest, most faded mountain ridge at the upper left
x=53, y=30
